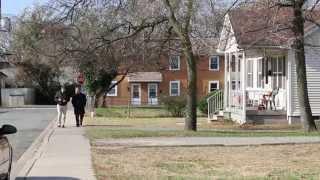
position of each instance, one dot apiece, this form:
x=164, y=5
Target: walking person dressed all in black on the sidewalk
x=79, y=101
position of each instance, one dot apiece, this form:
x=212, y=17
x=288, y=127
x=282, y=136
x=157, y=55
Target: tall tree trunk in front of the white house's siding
x=298, y=46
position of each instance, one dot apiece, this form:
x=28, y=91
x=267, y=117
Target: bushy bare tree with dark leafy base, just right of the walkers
x=106, y=42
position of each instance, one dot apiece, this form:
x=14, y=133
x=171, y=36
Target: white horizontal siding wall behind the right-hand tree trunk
x=313, y=76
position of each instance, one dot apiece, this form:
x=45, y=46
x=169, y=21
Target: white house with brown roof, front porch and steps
x=259, y=61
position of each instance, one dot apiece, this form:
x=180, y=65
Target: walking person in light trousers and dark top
x=62, y=100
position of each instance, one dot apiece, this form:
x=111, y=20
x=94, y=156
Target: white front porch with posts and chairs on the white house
x=256, y=86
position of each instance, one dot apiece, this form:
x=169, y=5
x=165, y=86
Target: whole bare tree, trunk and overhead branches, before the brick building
x=163, y=26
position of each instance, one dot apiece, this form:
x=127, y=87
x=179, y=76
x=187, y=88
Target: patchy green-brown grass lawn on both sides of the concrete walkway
x=244, y=162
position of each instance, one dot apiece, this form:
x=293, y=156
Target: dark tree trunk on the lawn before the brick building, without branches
x=191, y=111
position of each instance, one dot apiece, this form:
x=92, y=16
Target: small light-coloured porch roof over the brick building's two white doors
x=145, y=77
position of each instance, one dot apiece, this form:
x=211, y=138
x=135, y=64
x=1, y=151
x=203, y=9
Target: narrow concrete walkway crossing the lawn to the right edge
x=205, y=141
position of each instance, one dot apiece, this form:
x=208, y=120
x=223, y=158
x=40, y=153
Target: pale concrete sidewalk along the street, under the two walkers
x=66, y=155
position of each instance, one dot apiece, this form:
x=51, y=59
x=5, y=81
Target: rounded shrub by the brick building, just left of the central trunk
x=175, y=105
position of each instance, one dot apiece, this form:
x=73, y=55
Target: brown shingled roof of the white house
x=265, y=26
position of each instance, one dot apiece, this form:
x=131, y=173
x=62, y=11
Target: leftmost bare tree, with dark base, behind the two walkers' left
x=36, y=69
